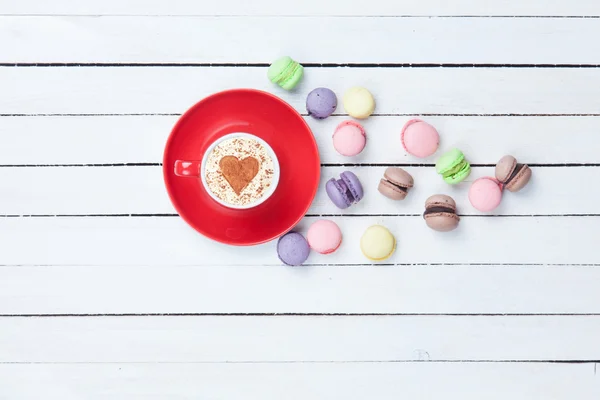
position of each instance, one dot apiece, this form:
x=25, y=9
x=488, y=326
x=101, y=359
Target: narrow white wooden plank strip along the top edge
x=309, y=7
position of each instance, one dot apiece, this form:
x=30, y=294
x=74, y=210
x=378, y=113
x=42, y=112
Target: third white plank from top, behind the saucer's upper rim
x=397, y=90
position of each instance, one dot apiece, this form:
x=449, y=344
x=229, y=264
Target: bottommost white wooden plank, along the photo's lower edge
x=353, y=381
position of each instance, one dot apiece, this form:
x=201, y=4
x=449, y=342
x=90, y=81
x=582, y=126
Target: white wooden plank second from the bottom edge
x=315, y=339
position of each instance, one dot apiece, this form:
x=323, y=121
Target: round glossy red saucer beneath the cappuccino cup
x=263, y=115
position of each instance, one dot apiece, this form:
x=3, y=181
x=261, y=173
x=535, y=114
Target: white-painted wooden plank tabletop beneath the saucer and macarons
x=105, y=293
